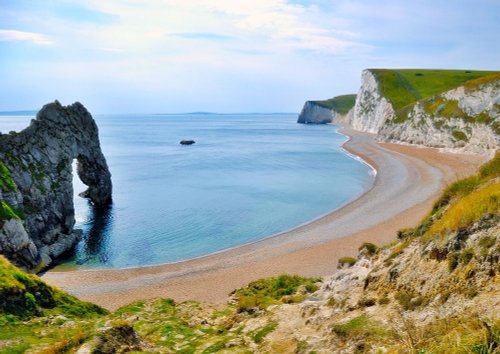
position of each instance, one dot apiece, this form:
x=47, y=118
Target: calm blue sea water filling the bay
x=247, y=177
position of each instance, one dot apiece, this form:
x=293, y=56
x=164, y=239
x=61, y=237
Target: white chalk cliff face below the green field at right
x=463, y=119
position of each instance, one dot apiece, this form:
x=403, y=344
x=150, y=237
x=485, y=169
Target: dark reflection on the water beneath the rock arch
x=95, y=240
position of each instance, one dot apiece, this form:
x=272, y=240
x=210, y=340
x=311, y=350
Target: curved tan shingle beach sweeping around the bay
x=407, y=182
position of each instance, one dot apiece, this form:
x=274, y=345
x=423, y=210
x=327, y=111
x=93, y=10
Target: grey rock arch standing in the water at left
x=36, y=194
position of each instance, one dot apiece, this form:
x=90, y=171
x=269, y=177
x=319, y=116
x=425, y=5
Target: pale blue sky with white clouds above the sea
x=172, y=56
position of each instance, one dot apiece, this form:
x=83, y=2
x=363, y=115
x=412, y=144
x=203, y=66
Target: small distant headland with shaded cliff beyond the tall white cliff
x=334, y=110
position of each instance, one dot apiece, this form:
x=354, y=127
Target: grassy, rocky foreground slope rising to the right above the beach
x=434, y=290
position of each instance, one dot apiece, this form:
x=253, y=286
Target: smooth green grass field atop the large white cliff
x=406, y=86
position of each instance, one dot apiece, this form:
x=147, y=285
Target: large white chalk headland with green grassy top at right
x=454, y=109
